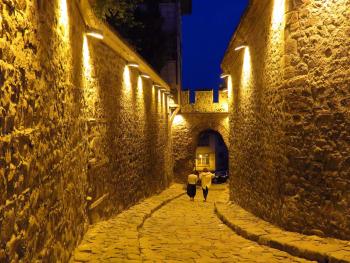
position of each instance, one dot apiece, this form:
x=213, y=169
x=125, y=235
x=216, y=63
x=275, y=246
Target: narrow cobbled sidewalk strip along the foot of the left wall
x=117, y=239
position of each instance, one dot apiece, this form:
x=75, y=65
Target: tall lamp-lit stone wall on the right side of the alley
x=290, y=118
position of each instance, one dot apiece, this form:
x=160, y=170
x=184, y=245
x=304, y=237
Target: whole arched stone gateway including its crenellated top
x=193, y=120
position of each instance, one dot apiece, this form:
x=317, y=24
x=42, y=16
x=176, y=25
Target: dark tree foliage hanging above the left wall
x=140, y=23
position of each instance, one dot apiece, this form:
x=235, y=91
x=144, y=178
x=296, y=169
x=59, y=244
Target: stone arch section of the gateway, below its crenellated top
x=185, y=131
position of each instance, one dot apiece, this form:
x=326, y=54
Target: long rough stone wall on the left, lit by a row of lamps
x=74, y=123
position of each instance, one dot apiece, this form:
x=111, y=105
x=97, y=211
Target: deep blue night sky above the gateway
x=206, y=35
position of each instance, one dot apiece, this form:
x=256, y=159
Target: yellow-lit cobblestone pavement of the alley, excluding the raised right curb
x=179, y=231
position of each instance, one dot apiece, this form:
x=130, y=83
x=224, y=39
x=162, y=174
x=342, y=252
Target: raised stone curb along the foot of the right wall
x=323, y=250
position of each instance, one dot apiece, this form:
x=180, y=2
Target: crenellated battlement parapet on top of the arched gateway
x=204, y=102
